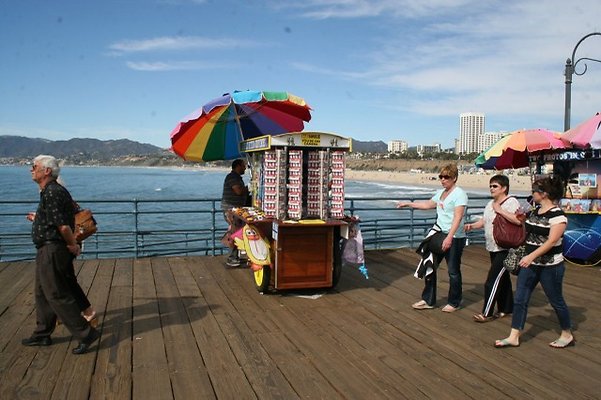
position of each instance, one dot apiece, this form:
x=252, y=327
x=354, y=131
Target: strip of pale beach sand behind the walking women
x=518, y=184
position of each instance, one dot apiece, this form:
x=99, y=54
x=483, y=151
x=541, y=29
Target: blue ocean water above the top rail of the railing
x=126, y=183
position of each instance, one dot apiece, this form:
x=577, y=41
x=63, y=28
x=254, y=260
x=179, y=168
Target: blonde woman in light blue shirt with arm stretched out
x=450, y=203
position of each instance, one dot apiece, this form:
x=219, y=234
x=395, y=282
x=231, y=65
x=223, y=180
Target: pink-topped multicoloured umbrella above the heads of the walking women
x=512, y=150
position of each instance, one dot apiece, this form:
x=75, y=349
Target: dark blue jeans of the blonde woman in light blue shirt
x=453, y=259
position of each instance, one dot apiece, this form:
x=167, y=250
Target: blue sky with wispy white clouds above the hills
x=370, y=70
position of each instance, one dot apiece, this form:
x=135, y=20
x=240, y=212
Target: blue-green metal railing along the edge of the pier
x=149, y=228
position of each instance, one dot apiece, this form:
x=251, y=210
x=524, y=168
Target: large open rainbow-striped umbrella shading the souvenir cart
x=214, y=131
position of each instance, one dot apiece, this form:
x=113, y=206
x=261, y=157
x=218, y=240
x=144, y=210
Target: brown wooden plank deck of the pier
x=187, y=328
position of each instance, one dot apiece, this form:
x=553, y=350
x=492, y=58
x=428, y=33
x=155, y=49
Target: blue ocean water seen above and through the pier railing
x=176, y=199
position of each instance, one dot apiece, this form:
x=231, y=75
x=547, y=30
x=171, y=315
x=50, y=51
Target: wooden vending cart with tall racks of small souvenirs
x=296, y=223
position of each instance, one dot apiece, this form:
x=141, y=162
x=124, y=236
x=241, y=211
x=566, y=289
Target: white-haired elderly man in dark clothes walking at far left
x=52, y=234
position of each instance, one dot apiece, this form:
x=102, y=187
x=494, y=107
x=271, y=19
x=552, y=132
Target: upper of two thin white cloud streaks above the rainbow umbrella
x=178, y=43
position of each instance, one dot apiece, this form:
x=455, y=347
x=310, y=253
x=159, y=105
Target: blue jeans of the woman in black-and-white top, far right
x=551, y=279
